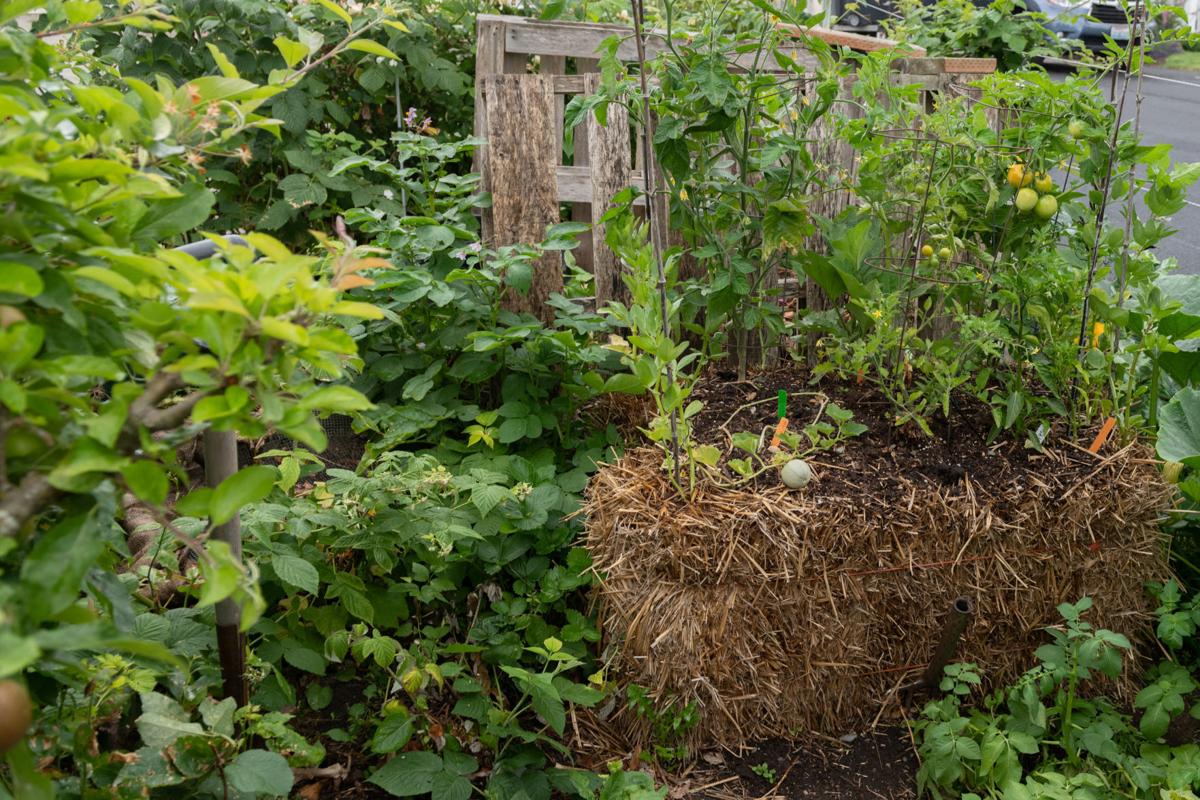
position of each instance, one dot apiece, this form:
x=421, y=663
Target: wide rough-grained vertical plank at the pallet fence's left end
x=521, y=167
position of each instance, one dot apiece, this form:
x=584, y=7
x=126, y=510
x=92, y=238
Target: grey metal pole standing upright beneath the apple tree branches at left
x=221, y=462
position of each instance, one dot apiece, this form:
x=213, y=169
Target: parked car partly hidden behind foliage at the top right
x=1073, y=20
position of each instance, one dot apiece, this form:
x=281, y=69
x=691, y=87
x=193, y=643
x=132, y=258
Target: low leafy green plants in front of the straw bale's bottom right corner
x=1051, y=735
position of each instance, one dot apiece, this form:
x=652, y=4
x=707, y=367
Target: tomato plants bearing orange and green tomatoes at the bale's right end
x=995, y=305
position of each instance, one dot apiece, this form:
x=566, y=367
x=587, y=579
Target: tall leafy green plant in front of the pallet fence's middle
x=733, y=148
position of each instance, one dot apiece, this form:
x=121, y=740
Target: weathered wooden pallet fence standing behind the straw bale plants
x=520, y=112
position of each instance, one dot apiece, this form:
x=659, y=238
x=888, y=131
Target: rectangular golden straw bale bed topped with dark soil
x=782, y=612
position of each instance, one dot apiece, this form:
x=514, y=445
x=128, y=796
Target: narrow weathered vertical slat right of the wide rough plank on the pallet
x=609, y=153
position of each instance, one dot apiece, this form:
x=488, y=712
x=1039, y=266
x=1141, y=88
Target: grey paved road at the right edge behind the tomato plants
x=1171, y=113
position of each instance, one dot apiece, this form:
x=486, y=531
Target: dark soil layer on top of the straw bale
x=875, y=461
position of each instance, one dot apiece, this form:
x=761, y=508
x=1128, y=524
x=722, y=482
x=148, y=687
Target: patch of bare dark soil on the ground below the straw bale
x=879, y=766
